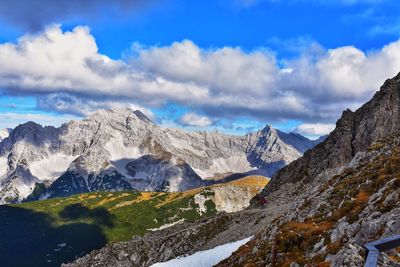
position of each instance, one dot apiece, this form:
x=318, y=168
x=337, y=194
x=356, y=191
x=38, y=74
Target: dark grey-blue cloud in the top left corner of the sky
x=33, y=15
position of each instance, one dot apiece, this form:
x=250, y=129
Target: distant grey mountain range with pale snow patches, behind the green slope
x=114, y=150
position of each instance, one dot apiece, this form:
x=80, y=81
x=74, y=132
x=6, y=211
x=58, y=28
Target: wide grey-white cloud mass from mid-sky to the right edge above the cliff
x=314, y=86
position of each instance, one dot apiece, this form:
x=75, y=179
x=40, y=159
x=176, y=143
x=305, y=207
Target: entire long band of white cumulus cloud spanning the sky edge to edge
x=66, y=72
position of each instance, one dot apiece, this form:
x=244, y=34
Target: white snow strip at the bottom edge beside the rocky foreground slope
x=206, y=258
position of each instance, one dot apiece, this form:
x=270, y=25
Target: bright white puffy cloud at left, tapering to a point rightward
x=57, y=61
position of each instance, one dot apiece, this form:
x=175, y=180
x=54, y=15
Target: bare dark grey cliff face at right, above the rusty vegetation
x=354, y=132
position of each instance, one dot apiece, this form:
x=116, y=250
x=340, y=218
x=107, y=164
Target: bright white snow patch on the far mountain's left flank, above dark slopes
x=52, y=167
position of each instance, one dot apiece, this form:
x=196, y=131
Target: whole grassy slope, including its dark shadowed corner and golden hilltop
x=88, y=221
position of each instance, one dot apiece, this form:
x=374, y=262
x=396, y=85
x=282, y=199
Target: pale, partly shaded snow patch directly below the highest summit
x=120, y=154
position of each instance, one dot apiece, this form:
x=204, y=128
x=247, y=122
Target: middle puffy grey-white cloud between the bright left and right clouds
x=227, y=69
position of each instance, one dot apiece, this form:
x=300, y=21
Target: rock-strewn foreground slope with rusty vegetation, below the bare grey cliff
x=330, y=224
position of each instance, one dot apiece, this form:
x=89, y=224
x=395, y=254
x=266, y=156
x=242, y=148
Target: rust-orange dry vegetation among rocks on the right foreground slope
x=347, y=195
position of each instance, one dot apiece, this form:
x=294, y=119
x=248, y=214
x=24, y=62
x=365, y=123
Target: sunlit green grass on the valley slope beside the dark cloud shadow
x=135, y=218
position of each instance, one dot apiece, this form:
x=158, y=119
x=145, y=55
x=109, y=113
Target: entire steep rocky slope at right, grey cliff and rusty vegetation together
x=346, y=192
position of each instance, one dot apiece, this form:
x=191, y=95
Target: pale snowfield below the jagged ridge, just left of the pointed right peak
x=234, y=164
